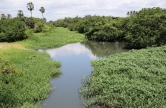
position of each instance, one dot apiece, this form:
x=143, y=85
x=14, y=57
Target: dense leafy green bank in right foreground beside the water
x=135, y=79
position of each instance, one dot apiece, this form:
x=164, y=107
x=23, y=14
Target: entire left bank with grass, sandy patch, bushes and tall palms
x=24, y=72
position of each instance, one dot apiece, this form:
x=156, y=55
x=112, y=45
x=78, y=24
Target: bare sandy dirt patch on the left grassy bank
x=10, y=46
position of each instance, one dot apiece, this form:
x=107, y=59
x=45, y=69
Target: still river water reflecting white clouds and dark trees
x=75, y=59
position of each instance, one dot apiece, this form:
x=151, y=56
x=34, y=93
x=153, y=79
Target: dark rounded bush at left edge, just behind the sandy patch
x=12, y=30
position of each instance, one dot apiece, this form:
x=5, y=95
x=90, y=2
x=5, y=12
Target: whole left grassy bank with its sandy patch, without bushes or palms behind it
x=25, y=73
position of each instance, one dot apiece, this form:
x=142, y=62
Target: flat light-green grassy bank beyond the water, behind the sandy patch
x=55, y=38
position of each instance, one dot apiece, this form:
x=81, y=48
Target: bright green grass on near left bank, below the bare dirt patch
x=33, y=85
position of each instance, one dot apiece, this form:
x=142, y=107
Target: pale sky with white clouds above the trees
x=59, y=9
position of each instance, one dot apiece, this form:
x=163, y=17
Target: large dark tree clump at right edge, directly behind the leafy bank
x=145, y=31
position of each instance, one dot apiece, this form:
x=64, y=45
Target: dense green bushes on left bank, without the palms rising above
x=16, y=29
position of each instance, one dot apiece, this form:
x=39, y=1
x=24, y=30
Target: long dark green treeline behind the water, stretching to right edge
x=141, y=29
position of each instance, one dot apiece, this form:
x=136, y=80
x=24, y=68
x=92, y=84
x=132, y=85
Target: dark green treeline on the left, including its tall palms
x=22, y=27
